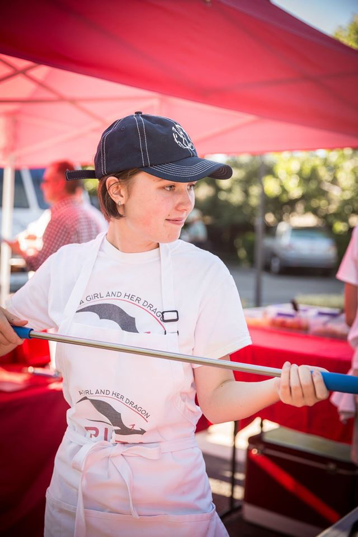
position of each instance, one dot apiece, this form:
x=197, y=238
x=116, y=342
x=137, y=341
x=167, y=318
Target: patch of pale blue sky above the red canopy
x=325, y=15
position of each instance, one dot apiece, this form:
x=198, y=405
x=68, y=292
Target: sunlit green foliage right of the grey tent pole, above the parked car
x=322, y=183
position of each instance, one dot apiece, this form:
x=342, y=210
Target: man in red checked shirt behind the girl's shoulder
x=70, y=219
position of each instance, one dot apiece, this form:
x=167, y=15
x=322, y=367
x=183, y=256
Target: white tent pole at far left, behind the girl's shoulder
x=6, y=229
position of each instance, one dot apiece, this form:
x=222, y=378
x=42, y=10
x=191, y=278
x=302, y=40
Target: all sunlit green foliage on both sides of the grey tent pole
x=322, y=183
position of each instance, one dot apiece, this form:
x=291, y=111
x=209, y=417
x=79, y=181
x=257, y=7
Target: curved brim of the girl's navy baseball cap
x=189, y=169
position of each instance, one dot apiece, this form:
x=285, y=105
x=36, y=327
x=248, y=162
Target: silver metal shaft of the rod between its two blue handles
x=224, y=364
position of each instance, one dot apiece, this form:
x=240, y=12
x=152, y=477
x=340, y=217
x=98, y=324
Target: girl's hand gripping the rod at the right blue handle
x=298, y=386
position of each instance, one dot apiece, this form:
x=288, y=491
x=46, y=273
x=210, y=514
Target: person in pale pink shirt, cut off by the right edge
x=348, y=273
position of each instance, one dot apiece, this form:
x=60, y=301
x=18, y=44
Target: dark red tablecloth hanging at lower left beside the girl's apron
x=32, y=425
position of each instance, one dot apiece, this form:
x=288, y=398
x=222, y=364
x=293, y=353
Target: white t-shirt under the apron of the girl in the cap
x=125, y=290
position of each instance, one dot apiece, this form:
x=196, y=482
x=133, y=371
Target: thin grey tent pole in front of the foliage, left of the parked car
x=259, y=234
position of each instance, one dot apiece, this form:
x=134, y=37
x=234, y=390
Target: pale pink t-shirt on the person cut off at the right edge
x=348, y=273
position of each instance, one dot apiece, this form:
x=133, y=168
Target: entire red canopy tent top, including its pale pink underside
x=243, y=76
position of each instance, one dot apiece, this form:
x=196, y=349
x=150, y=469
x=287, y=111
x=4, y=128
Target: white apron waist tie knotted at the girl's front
x=92, y=452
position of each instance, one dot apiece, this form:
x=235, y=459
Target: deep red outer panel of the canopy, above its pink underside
x=235, y=54
